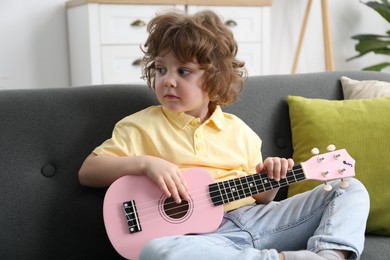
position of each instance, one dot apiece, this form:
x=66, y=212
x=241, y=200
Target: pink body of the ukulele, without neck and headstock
x=157, y=215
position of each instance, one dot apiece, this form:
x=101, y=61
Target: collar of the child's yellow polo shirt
x=182, y=119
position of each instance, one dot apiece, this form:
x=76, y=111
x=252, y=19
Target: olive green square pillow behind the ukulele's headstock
x=362, y=127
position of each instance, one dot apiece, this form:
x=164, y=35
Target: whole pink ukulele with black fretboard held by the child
x=135, y=210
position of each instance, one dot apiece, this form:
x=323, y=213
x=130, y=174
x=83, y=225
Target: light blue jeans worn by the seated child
x=315, y=220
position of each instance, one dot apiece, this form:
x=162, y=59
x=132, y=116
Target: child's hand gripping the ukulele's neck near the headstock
x=275, y=167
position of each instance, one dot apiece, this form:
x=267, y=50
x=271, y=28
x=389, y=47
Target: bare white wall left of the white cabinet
x=33, y=44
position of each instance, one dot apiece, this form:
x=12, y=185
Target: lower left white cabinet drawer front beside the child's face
x=121, y=64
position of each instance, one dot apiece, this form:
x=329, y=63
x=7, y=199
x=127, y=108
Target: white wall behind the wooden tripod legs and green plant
x=347, y=18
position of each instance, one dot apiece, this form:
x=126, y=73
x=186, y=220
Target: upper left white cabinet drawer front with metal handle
x=126, y=24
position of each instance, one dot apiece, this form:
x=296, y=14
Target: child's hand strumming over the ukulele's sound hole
x=168, y=178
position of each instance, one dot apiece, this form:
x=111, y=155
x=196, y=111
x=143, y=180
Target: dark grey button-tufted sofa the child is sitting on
x=47, y=133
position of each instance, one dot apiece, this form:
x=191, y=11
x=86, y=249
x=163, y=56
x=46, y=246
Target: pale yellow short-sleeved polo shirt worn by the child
x=224, y=145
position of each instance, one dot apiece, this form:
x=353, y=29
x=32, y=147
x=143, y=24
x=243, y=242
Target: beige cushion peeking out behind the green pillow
x=360, y=89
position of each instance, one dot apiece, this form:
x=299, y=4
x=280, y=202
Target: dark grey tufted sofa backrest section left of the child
x=45, y=136
